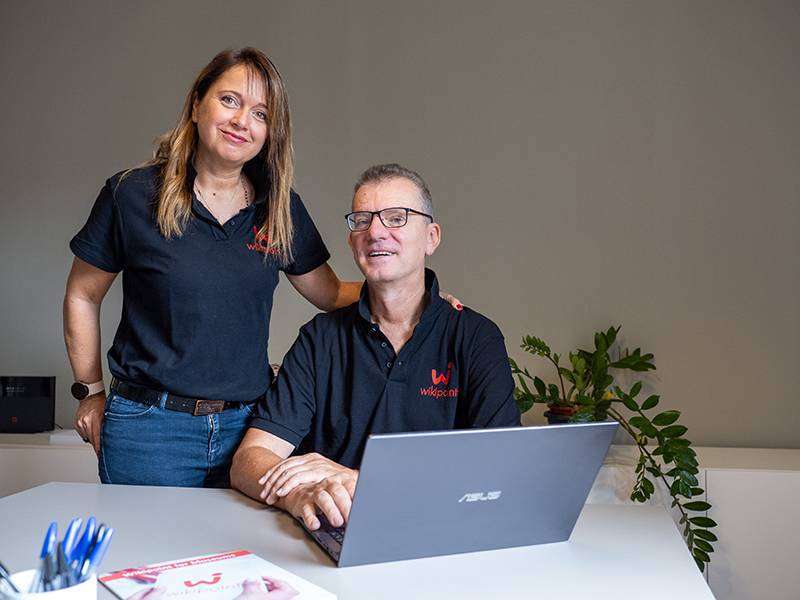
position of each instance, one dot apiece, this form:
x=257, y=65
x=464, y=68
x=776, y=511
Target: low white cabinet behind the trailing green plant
x=755, y=498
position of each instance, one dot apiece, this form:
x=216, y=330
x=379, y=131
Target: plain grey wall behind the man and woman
x=629, y=163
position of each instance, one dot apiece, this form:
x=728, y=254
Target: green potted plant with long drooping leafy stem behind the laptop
x=590, y=394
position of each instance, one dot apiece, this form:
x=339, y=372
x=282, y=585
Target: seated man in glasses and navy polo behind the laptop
x=400, y=359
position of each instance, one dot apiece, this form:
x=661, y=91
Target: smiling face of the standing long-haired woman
x=232, y=118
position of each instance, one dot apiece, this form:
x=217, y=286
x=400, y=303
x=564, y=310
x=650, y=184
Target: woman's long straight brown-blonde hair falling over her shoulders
x=175, y=149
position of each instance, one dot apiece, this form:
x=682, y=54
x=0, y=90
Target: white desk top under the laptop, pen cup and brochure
x=615, y=551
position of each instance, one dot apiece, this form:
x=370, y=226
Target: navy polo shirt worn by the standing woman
x=196, y=308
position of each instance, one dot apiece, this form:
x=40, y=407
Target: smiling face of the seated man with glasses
x=391, y=254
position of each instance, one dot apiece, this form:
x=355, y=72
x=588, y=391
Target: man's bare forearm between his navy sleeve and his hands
x=258, y=452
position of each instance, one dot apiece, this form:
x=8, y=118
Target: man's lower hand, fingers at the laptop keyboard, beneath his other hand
x=333, y=496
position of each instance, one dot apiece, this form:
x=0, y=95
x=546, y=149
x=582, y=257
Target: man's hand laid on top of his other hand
x=281, y=479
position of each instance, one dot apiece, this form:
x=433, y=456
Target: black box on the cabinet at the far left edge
x=27, y=404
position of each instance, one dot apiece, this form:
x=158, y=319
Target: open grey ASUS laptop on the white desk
x=447, y=492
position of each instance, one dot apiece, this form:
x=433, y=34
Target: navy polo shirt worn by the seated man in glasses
x=342, y=380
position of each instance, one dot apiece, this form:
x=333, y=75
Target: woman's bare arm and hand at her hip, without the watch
x=86, y=288
